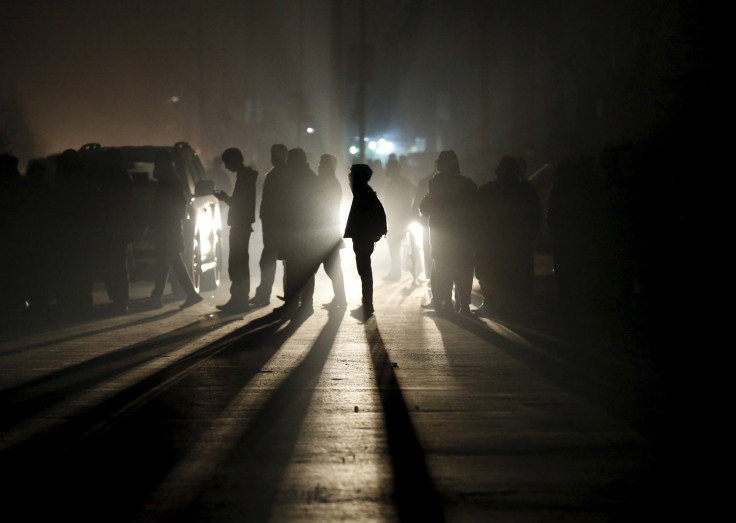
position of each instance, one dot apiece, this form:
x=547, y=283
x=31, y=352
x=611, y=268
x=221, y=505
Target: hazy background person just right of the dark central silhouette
x=397, y=199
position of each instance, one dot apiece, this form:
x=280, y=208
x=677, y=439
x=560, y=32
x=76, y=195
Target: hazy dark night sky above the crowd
x=561, y=75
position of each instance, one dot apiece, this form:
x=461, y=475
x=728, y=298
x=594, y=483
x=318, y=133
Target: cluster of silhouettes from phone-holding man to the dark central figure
x=301, y=226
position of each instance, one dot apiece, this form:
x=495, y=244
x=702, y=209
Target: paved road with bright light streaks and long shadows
x=176, y=415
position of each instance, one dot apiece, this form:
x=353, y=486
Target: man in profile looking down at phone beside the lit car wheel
x=241, y=216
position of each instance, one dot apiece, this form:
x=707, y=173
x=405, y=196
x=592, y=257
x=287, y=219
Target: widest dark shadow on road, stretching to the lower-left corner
x=103, y=463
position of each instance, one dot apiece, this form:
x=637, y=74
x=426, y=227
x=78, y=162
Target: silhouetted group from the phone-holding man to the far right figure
x=488, y=232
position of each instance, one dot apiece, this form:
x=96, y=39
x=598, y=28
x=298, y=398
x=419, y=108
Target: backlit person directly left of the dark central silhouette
x=329, y=237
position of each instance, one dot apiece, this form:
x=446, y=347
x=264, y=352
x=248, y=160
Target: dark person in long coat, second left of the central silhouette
x=299, y=247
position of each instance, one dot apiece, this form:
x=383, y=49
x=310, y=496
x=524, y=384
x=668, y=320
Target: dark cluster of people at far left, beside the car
x=63, y=228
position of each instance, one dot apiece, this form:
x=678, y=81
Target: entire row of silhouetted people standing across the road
x=80, y=228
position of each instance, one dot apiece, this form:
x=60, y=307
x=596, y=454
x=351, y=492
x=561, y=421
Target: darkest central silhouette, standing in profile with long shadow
x=366, y=224
